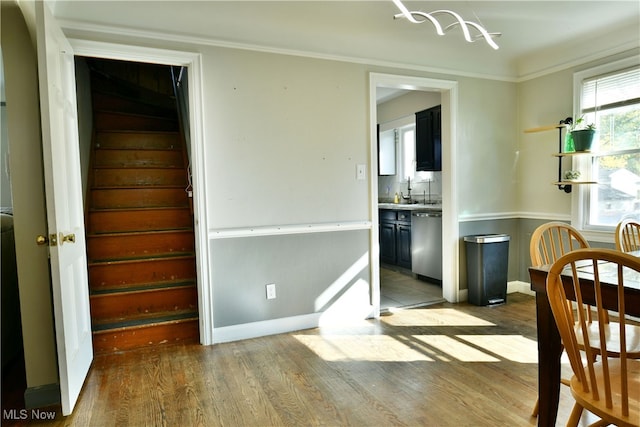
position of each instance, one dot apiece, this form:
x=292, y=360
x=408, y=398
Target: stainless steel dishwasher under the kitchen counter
x=426, y=244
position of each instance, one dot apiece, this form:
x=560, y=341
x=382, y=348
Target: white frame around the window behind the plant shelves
x=580, y=198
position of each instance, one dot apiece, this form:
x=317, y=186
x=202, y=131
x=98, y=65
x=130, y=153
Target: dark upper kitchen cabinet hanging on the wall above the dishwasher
x=429, y=139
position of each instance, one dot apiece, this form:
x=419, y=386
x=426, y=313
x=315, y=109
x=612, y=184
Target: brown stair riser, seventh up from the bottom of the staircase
x=138, y=177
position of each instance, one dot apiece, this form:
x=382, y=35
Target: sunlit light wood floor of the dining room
x=442, y=365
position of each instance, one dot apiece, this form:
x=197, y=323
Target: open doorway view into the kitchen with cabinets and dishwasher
x=409, y=199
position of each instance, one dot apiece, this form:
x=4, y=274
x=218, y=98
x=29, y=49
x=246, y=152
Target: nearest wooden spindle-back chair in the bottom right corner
x=607, y=386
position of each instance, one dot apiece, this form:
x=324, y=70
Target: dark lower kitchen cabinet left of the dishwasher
x=395, y=237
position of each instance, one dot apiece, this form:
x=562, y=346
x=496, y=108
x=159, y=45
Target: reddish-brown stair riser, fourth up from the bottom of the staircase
x=128, y=246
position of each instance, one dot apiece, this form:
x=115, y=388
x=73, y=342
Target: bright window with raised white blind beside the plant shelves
x=609, y=97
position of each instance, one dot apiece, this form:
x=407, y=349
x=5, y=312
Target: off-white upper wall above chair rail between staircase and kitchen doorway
x=283, y=137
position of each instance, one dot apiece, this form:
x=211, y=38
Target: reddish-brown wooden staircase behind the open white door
x=140, y=237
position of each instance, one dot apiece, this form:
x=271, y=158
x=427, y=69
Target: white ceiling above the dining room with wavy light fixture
x=537, y=36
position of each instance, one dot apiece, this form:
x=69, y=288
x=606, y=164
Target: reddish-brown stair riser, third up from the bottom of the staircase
x=115, y=275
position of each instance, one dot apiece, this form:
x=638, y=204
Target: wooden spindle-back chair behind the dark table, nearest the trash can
x=548, y=243
